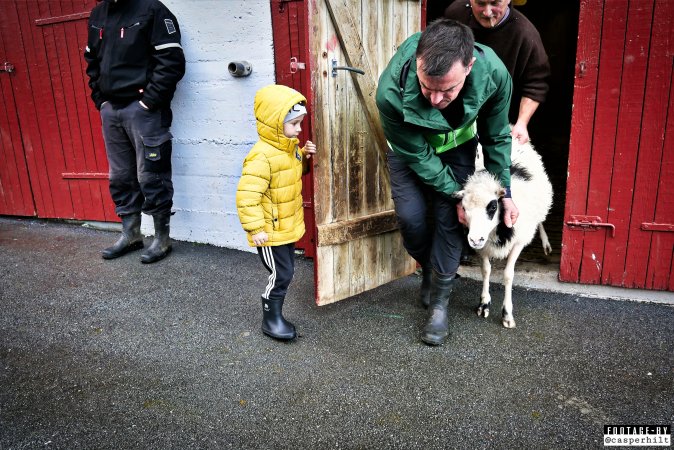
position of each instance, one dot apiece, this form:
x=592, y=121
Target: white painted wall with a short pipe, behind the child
x=213, y=125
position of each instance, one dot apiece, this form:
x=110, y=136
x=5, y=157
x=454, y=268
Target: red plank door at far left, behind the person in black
x=52, y=129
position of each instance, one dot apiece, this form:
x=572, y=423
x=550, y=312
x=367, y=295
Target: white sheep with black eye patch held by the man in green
x=487, y=234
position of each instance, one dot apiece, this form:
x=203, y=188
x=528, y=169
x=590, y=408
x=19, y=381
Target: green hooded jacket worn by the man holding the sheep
x=408, y=119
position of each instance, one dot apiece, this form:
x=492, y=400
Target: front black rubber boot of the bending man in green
x=436, y=330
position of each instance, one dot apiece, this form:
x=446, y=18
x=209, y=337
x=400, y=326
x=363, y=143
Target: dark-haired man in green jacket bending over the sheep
x=440, y=92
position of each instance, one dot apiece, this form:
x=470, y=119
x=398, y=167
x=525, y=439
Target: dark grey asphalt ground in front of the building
x=116, y=354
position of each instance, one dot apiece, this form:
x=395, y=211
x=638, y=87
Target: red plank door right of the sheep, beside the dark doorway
x=619, y=215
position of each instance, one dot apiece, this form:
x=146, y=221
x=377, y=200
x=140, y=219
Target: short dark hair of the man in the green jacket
x=442, y=44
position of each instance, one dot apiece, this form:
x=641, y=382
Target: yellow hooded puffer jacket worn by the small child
x=269, y=195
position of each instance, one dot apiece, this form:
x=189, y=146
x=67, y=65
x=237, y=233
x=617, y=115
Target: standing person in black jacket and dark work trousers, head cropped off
x=134, y=62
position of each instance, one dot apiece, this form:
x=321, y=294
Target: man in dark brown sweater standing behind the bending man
x=516, y=41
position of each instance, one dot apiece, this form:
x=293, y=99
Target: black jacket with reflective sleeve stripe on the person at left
x=133, y=53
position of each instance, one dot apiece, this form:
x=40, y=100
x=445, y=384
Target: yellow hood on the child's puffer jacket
x=272, y=104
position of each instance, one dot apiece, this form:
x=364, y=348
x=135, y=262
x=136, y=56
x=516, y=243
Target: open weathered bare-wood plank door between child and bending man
x=358, y=246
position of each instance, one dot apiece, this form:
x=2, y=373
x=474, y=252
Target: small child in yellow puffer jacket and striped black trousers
x=269, y=196
